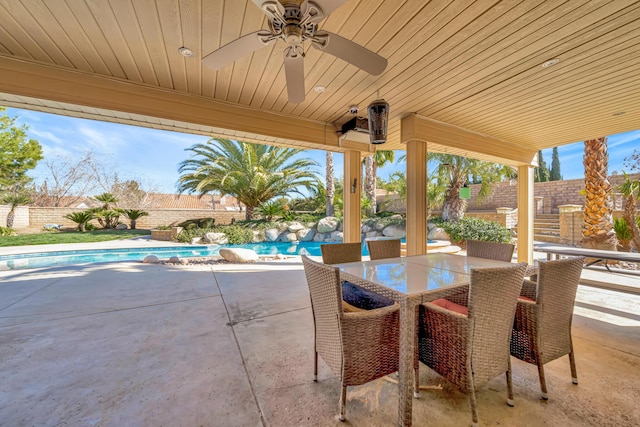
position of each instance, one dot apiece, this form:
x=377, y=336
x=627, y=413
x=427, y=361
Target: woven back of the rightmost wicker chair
x=555, y=298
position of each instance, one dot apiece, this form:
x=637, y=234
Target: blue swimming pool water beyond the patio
x=48, y=259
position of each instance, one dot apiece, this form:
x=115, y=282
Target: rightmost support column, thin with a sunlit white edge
x=525, y=213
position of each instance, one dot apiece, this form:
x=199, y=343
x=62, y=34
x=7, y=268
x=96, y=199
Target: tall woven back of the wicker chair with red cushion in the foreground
x=493, y=295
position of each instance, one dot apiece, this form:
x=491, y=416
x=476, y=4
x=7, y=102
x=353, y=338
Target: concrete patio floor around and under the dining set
x=131, y=344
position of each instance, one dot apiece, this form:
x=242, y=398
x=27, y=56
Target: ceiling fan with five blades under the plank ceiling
x=294, y=24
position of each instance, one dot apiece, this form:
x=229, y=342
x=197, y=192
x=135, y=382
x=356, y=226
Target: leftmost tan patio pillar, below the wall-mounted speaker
x=352, y=186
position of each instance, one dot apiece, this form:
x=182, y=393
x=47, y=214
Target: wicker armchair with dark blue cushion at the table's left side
x=358, y=347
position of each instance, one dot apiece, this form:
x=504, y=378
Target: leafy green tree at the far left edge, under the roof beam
x=18, y=154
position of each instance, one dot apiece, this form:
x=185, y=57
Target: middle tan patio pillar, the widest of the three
x=416, y=197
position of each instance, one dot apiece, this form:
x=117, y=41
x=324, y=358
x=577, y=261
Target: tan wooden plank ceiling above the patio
x=475, y=65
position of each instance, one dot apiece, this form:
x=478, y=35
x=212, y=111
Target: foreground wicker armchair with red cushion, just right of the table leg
x=468, y=342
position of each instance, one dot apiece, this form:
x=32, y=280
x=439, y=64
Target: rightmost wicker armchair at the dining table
x=542, y=326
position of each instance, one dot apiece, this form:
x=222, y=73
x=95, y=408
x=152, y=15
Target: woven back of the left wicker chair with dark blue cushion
x=326, y=305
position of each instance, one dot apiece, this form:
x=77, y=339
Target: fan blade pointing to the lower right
x=349, y=51
